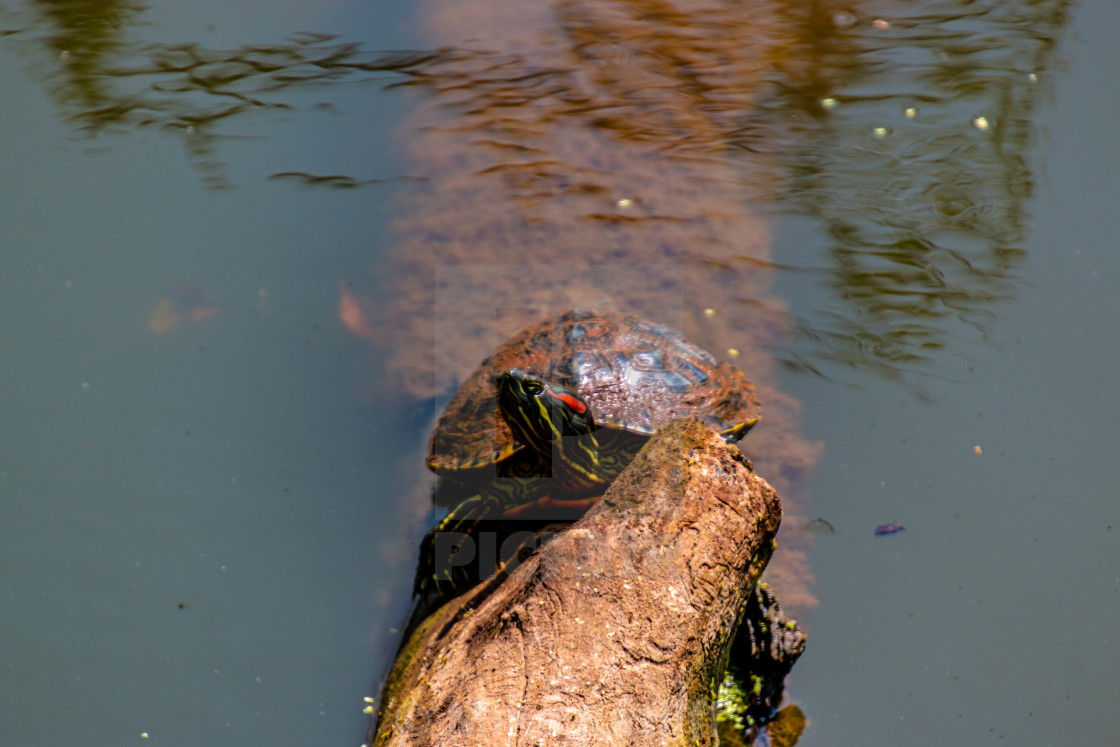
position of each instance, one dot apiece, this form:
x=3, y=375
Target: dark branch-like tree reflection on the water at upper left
x=107, y=81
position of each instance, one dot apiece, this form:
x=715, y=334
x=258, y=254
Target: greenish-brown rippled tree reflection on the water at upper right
x=904, y=133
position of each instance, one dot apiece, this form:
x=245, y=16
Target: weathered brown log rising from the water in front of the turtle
x=614, y=633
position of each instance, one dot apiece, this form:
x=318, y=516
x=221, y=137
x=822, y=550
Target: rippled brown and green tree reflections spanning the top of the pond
x=903, y=130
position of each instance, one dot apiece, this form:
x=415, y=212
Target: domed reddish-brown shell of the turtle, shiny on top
x=637, y=376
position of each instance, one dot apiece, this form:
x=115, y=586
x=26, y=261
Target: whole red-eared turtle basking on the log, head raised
x=554, y=417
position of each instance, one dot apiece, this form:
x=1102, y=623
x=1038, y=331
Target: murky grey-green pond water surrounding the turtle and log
x=245, y=257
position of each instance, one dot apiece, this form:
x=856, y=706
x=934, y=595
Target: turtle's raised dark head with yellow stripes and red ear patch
x=540, y=413
